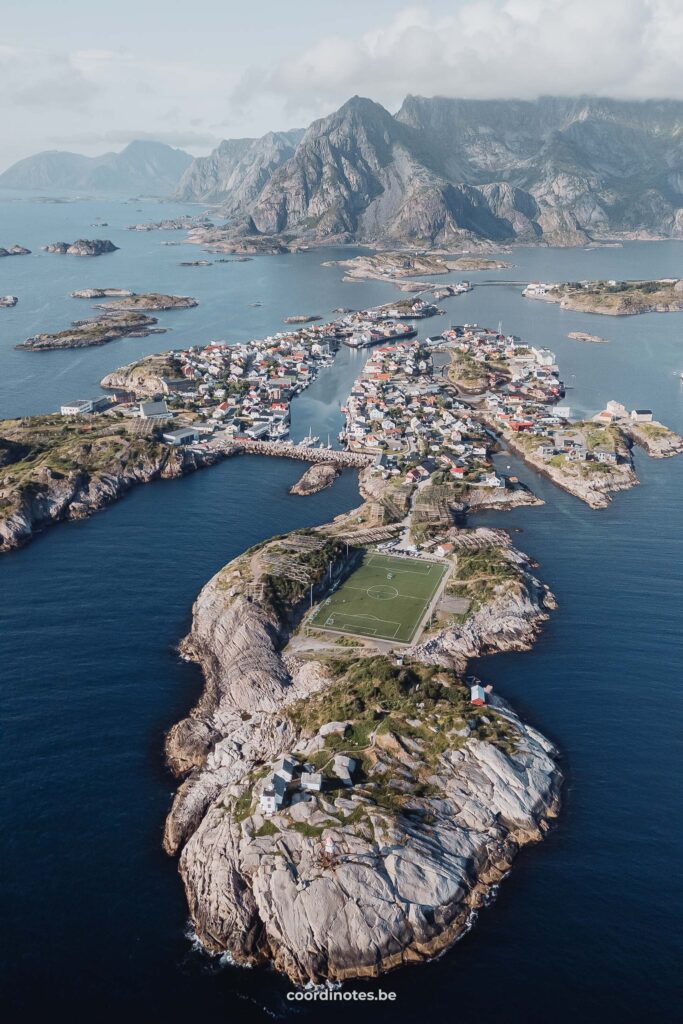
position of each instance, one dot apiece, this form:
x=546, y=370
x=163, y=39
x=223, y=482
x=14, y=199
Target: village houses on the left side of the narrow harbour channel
x=246, y=389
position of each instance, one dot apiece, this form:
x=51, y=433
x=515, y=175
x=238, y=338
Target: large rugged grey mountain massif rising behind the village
x=558, y=170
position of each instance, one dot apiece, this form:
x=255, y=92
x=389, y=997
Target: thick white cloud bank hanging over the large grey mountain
x=489, y=50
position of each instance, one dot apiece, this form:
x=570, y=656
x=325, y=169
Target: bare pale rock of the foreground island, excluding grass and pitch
x=409, y=870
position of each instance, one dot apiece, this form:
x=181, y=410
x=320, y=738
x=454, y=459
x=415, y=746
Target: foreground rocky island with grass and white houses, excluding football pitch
x=406, y=794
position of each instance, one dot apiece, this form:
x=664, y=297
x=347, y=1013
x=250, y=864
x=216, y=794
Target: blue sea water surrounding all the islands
x=95, y=925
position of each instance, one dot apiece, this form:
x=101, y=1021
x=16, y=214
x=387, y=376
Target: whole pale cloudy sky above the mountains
x=92, y=77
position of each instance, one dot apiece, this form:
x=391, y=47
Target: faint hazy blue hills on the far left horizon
x=144, y=167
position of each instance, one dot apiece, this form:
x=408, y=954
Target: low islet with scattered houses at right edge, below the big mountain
x=614, y=298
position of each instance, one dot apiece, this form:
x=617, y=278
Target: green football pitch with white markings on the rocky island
x=387, y=598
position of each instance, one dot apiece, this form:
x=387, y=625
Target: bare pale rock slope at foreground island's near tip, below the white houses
x=403, y=890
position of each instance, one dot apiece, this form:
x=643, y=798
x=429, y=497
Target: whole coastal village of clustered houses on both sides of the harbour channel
x=419, y=408
